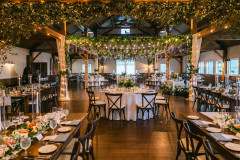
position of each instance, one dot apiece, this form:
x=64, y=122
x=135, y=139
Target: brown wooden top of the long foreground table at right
x=219, y=146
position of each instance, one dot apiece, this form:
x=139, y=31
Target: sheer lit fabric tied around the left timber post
x=63, y=82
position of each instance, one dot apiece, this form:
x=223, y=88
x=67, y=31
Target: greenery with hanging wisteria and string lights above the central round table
x=127, y=48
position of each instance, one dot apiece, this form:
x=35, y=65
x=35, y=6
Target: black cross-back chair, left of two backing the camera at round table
x=115, y=104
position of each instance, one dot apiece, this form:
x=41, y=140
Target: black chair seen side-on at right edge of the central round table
x=164, y=103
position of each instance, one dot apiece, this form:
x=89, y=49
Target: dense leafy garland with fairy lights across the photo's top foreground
x=19, y=19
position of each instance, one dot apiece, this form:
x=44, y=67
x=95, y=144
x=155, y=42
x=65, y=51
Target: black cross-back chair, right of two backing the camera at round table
x=148, y=102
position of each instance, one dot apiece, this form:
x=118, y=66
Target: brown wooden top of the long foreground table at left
x=33, y=150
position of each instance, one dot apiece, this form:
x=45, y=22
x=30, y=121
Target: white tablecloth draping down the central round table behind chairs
x=129, y=100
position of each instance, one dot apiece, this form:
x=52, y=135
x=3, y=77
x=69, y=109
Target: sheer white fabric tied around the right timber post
x=196, y=46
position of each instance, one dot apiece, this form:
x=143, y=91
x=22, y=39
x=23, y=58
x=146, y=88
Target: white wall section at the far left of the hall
x=19, y=63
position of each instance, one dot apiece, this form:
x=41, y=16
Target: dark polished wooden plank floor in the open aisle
x=155, y=140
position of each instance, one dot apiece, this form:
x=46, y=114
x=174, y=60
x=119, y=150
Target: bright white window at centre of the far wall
x=125, y=66
